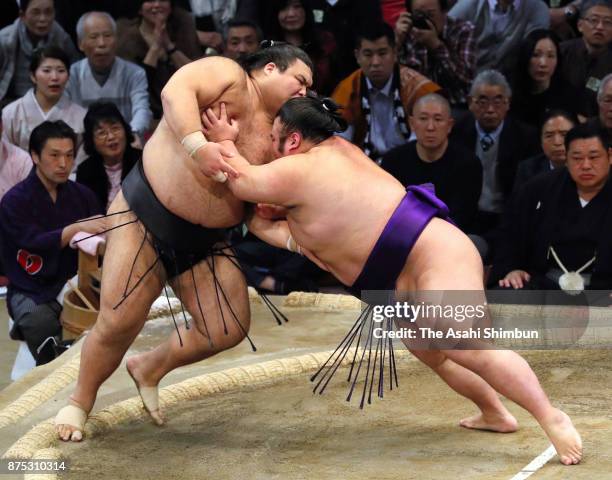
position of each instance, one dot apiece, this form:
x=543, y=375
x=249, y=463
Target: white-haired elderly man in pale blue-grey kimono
x=104, y=76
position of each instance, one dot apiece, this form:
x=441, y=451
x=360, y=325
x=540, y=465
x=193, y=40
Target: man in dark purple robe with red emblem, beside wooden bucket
x=37, y=221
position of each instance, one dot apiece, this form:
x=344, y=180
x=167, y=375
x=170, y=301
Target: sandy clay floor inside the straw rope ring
x=283, y=431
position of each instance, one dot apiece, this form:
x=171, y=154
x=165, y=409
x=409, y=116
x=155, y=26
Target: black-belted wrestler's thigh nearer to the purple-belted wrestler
x=224, y=305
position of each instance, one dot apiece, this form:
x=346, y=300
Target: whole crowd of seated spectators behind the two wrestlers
x=505, y=106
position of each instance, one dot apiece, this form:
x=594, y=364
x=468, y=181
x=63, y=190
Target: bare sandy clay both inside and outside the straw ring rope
x=283, y=431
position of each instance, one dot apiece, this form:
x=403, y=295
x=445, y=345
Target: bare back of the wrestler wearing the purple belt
x=340, y=223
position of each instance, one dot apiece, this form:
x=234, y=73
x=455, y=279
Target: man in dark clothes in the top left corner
x=34, y=28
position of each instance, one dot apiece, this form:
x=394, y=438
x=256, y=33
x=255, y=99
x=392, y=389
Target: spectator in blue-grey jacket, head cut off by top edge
x=501, y=25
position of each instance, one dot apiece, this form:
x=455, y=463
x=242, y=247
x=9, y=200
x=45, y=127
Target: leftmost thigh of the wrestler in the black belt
x=127, y=258
